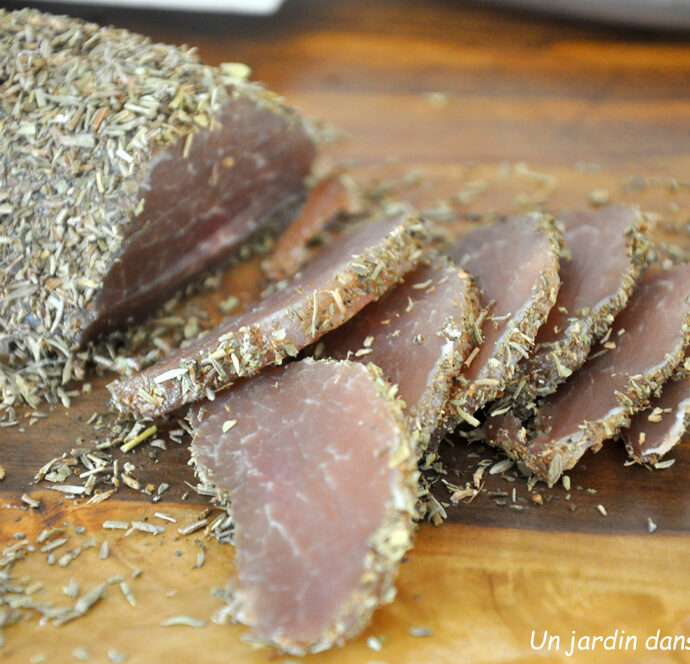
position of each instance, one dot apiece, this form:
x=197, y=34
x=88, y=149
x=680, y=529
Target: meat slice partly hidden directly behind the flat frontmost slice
x=419, y=334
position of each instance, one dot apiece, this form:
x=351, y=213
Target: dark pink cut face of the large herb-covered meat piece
x=198, y=210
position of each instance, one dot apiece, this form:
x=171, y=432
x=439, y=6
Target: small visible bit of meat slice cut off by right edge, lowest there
x=656, y=430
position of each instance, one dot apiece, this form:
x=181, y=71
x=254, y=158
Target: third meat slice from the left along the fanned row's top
x=515, y=267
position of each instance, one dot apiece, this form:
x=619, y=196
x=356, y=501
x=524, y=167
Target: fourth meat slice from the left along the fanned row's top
x=606, y=253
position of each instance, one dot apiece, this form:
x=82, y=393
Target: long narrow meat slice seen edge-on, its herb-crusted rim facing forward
x=345, y=276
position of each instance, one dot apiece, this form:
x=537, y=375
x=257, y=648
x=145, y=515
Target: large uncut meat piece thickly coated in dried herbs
x=127, y=167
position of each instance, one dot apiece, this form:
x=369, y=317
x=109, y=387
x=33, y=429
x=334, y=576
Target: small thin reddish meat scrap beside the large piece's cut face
x=329, y=197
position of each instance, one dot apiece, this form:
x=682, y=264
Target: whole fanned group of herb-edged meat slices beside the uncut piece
x=520, y=325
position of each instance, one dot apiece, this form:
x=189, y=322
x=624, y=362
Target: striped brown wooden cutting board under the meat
x=437, y=99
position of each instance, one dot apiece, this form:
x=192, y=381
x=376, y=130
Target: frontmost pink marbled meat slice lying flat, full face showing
x=317, y=462
